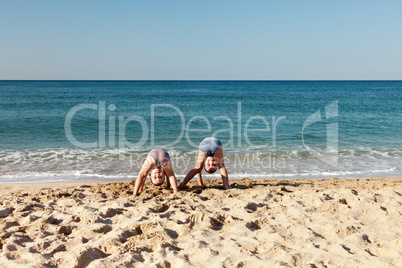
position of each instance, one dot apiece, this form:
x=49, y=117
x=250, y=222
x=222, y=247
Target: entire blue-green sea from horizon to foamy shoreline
x=103, y=130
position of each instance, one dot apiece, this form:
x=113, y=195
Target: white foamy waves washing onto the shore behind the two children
x=63, y=164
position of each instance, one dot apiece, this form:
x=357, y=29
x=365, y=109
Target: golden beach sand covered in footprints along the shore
x=257, y=223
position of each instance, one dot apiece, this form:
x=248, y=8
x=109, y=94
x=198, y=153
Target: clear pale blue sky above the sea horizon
x=197, y=40
